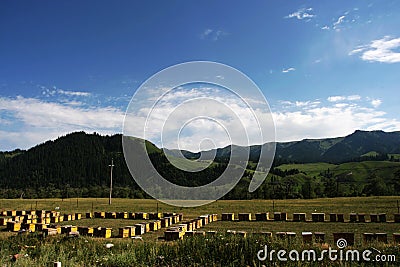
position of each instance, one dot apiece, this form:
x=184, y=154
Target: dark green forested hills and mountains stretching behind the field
x=78, y=165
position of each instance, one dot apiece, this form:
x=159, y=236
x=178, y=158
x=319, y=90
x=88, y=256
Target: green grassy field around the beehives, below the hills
x=151, y=251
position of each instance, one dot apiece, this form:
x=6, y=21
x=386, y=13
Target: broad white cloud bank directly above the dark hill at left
x=35, y=120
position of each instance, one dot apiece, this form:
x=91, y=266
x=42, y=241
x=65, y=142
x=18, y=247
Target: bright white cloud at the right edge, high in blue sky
x=381, y=50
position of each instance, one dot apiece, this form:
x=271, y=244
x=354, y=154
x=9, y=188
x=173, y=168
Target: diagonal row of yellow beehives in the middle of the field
x=189, y=228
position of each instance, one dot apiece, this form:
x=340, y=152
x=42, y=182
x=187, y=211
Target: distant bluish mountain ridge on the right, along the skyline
x=333, y=150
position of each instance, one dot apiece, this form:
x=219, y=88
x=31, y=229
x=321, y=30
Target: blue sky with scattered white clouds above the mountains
x=326, y=68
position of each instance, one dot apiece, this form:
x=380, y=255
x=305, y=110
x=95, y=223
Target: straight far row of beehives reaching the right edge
x=315, y=217
